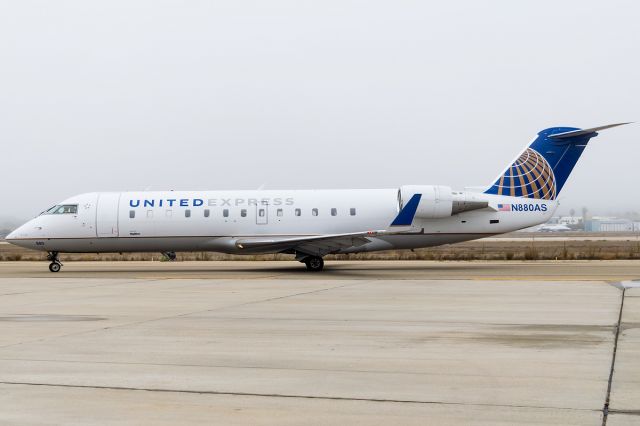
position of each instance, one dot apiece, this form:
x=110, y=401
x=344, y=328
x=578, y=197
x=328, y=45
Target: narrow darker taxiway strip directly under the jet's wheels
x=616, y=270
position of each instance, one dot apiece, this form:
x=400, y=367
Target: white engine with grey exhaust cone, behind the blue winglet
x=439, y=201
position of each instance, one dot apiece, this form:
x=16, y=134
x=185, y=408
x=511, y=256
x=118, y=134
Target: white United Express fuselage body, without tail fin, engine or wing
x=215, y=220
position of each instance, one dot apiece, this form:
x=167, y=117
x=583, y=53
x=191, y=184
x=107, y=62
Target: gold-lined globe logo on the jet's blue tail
x=529, y=176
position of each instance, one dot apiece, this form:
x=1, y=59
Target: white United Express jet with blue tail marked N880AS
x=311, y=224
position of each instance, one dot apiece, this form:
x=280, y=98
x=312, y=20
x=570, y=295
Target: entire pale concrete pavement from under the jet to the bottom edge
x=361, y=343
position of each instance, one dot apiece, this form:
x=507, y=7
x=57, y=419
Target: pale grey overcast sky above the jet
x=126, y=95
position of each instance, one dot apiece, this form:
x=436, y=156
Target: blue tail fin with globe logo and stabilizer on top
x=543, y=168
